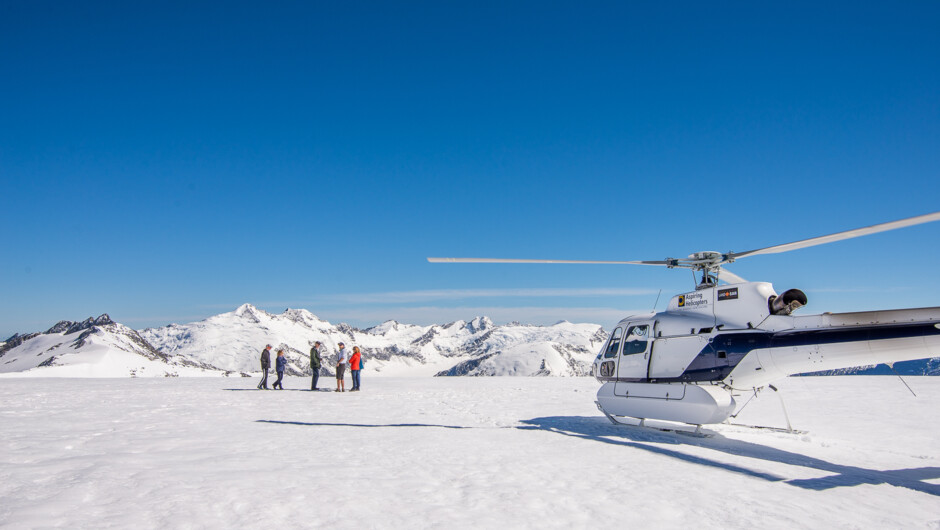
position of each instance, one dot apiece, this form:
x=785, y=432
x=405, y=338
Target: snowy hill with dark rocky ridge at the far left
x=96, y=347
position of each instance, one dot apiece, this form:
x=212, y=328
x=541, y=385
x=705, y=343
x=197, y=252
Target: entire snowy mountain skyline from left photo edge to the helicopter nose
x=231, y=343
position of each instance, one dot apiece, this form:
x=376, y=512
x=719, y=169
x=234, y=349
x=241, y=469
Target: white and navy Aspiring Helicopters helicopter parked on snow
x=730, y=336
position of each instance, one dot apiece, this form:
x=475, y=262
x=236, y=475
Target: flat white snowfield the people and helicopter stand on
x=456, y=453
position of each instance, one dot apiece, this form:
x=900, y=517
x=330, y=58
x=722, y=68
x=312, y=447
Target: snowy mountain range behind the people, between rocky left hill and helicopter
x=233, y=341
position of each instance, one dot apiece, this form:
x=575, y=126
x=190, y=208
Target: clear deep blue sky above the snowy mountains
x=164, y=162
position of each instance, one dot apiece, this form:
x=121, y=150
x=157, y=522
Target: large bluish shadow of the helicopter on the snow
x=598, y=429
